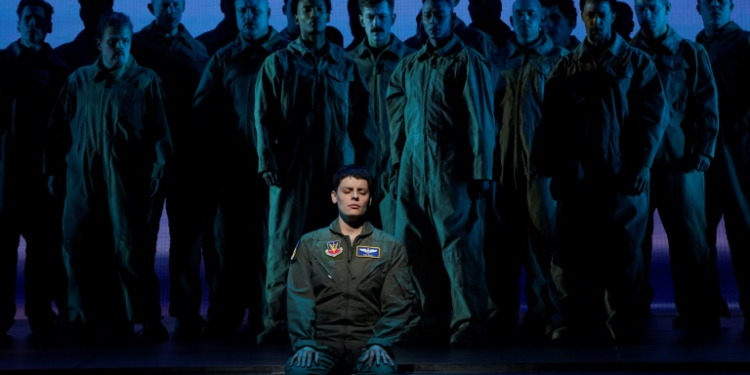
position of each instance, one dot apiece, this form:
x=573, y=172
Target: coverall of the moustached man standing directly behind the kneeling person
x=377, y=70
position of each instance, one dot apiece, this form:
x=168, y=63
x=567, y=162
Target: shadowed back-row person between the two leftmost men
x=83, y=49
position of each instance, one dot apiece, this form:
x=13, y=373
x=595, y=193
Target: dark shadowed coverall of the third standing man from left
x=179, y=62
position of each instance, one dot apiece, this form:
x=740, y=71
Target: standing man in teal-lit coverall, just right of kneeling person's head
x=443, y=137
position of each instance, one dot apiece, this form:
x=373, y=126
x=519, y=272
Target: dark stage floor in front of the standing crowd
x=662, y=350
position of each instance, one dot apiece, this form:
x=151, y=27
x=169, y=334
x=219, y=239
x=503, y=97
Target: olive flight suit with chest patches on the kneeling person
x=344, y=296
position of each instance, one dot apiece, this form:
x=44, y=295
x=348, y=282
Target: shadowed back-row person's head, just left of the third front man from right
x=560, y=21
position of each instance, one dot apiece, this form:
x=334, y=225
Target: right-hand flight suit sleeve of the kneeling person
x=396, y=298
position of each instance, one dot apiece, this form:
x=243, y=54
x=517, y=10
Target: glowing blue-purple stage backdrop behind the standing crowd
x=203, y=15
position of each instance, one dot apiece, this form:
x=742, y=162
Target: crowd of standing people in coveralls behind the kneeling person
x=494, y=149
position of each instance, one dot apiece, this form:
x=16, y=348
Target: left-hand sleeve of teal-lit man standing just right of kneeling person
x=396, y=103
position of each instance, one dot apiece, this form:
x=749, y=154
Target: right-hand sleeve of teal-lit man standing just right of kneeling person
x=482, y=128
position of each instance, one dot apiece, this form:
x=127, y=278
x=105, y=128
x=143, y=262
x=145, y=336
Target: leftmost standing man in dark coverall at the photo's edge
x=31, y=75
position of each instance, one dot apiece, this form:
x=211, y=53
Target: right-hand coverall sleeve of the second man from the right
x=704, y=106
